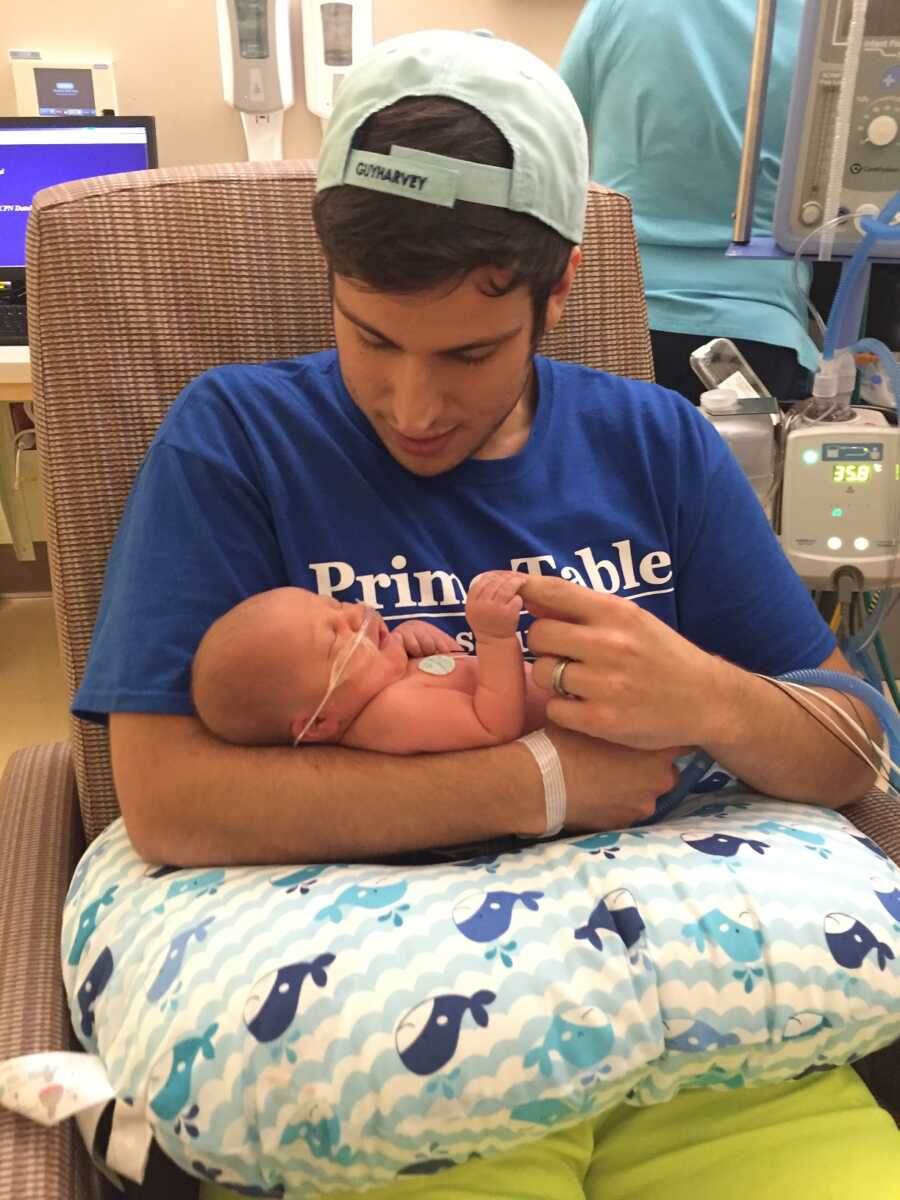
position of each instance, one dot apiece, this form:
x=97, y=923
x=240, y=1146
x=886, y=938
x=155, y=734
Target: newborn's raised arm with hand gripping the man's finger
x=493, y=609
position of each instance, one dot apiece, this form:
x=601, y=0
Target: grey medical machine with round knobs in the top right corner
x=843, y=141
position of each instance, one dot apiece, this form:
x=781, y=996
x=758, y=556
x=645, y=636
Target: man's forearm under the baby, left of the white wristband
x=189, y=799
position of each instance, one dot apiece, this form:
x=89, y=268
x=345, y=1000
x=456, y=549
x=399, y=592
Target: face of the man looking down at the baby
x=442, y=376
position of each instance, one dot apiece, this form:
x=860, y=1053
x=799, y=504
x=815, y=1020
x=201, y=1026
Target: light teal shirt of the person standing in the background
x=662, y=86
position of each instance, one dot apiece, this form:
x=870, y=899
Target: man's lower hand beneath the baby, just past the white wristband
x=608, y=787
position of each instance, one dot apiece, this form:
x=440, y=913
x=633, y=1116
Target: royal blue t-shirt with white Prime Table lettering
x=269, y=476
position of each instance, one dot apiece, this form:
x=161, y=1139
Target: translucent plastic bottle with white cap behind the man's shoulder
x=751, y=425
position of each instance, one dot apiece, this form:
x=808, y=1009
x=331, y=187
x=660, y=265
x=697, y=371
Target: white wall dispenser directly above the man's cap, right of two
x=335, y=37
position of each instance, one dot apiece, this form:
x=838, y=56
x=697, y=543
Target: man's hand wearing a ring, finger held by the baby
x=639, y=682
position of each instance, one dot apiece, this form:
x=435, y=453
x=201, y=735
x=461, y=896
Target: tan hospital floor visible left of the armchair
x=33, y=688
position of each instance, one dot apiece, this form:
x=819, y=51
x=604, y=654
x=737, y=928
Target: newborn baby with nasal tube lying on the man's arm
x=266, y=675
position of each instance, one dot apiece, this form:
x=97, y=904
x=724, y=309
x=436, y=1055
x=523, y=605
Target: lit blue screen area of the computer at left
x=31, y=161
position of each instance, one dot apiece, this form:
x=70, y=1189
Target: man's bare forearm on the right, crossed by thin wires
x=771, y=742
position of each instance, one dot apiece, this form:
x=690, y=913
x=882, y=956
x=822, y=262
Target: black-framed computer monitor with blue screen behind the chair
x=40, y=152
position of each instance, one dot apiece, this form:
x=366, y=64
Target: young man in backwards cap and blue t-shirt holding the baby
x=435, y=446
